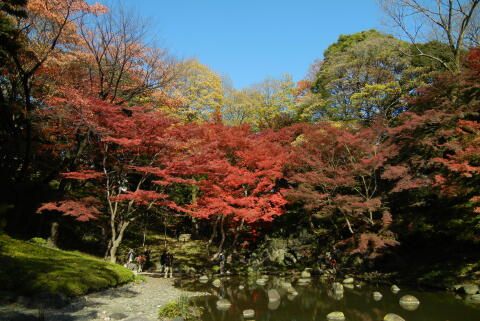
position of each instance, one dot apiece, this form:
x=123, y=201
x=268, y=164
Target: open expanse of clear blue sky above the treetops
x=249, y=40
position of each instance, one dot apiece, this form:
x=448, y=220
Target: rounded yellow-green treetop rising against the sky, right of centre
x=362, y=76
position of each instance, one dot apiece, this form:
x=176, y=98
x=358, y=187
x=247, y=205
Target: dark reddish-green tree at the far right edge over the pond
x=437, y=161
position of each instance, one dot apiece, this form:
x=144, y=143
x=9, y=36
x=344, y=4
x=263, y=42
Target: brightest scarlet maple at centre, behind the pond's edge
x=237, y=173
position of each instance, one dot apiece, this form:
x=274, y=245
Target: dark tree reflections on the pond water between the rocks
x=313, y=303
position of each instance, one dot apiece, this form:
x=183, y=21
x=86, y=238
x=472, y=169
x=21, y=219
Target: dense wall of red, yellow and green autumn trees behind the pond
x=106, y=138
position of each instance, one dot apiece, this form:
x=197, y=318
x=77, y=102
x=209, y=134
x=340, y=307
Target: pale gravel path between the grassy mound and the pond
x=131, y=302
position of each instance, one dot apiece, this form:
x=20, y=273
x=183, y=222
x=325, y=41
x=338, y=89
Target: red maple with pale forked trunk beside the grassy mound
x=125, y=165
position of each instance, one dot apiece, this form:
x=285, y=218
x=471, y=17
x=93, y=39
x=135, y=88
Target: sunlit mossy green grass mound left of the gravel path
x=29, y=267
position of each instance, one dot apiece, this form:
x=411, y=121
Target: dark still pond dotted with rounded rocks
x=314, y=299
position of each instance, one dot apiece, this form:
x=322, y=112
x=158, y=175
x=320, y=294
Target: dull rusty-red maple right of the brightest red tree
x=334, y=173
